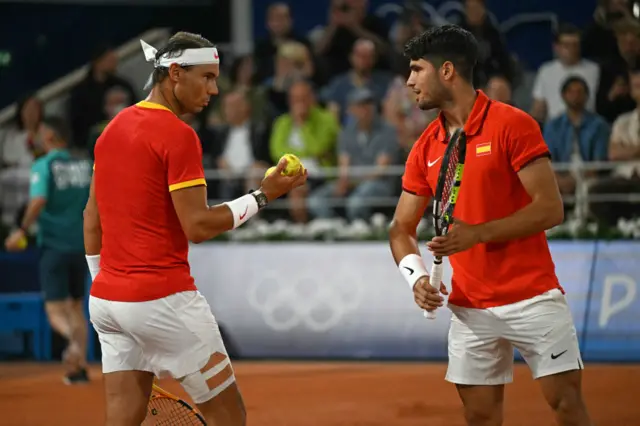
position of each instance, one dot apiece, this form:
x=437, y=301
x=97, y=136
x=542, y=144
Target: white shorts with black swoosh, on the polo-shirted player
x=481, y=341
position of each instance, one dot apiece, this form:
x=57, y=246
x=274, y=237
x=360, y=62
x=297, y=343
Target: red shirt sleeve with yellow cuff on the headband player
x=184, y=162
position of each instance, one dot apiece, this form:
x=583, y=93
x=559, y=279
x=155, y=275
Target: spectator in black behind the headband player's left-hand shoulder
x=87, y=100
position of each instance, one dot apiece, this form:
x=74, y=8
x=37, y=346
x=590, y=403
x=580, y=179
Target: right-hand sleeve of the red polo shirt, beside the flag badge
x=525, y=143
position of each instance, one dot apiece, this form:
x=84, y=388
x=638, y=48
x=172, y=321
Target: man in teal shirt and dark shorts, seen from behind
x=58, y=194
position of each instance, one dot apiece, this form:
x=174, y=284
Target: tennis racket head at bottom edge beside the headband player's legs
x=165, y=409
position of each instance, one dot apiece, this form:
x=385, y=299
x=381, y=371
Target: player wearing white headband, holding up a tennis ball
x=148, y=198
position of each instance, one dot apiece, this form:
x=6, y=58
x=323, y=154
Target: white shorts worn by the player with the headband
x=174, y=336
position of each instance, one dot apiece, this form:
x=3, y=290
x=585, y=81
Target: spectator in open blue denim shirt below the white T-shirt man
x=577, y=135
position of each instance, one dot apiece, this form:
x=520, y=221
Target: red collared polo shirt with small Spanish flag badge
x=501, y=140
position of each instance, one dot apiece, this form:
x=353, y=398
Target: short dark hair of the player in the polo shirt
x=447, y=43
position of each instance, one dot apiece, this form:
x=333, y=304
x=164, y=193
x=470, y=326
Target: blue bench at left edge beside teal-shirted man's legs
x=24, y=312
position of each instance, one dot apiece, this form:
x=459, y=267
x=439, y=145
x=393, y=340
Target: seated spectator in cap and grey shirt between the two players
x=368, y=141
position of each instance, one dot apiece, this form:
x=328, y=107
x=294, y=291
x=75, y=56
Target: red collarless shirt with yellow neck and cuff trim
x=143, y=154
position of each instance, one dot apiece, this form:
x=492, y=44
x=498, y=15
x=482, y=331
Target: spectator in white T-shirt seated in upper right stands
x=547, y=99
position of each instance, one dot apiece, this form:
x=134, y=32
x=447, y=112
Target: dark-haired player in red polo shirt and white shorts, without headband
x=504, y=291
